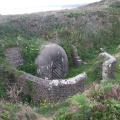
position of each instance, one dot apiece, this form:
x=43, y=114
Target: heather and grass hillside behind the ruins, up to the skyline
x=88, y=29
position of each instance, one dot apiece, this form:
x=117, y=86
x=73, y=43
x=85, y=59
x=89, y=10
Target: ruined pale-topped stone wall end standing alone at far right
x=108, y=66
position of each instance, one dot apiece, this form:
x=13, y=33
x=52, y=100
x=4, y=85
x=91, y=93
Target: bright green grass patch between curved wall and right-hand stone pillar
x=91, y=68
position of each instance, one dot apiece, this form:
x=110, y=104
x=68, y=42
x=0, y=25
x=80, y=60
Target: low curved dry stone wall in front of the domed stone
x=51, y=90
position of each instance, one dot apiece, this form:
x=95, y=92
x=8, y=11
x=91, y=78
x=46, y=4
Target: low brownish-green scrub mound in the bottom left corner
x=17, y=111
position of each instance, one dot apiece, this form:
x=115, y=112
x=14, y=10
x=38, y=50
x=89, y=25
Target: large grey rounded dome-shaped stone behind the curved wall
x=52, y=62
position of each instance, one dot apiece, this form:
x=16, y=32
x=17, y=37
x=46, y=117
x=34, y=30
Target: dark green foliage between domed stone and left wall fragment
x=30, y=50
